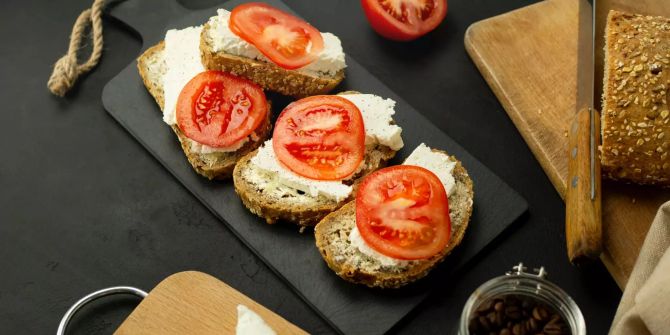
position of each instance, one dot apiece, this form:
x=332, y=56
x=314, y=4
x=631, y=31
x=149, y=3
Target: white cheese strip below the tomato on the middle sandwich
x=266, y=160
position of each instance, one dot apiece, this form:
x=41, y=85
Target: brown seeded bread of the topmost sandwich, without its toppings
x=267, y=75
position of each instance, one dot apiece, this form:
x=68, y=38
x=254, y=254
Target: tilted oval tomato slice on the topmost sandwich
x=286, y=40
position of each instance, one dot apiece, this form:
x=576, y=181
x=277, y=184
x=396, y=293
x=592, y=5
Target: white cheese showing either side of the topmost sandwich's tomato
x=330, y=61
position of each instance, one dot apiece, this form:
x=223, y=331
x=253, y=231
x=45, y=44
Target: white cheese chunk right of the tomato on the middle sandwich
x=378, y=119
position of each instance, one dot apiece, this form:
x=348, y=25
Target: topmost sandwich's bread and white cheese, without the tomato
x=223, y=50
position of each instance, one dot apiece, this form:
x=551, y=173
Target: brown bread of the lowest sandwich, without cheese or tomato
x=348, y=262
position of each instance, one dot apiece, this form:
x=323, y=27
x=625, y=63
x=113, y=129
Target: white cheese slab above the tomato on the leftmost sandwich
x=182, y=59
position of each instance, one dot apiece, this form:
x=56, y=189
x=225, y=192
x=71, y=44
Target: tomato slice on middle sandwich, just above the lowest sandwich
x=320, y=137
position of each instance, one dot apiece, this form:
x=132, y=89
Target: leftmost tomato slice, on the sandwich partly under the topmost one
x=219, y=109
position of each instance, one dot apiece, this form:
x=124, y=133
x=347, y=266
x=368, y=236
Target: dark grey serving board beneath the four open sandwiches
x=290, y=254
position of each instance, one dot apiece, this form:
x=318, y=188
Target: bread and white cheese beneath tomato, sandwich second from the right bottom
x=276, y=194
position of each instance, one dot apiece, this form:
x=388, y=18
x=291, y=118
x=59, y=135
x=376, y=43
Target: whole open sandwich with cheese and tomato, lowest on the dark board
x=404, y=221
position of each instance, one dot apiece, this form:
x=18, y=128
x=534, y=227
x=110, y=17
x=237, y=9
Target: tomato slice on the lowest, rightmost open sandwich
x=403, y=212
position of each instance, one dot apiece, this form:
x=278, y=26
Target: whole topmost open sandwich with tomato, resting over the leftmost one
x=274, y=49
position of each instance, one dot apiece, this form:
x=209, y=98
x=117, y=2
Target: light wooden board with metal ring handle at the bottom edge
x=195, y=303
